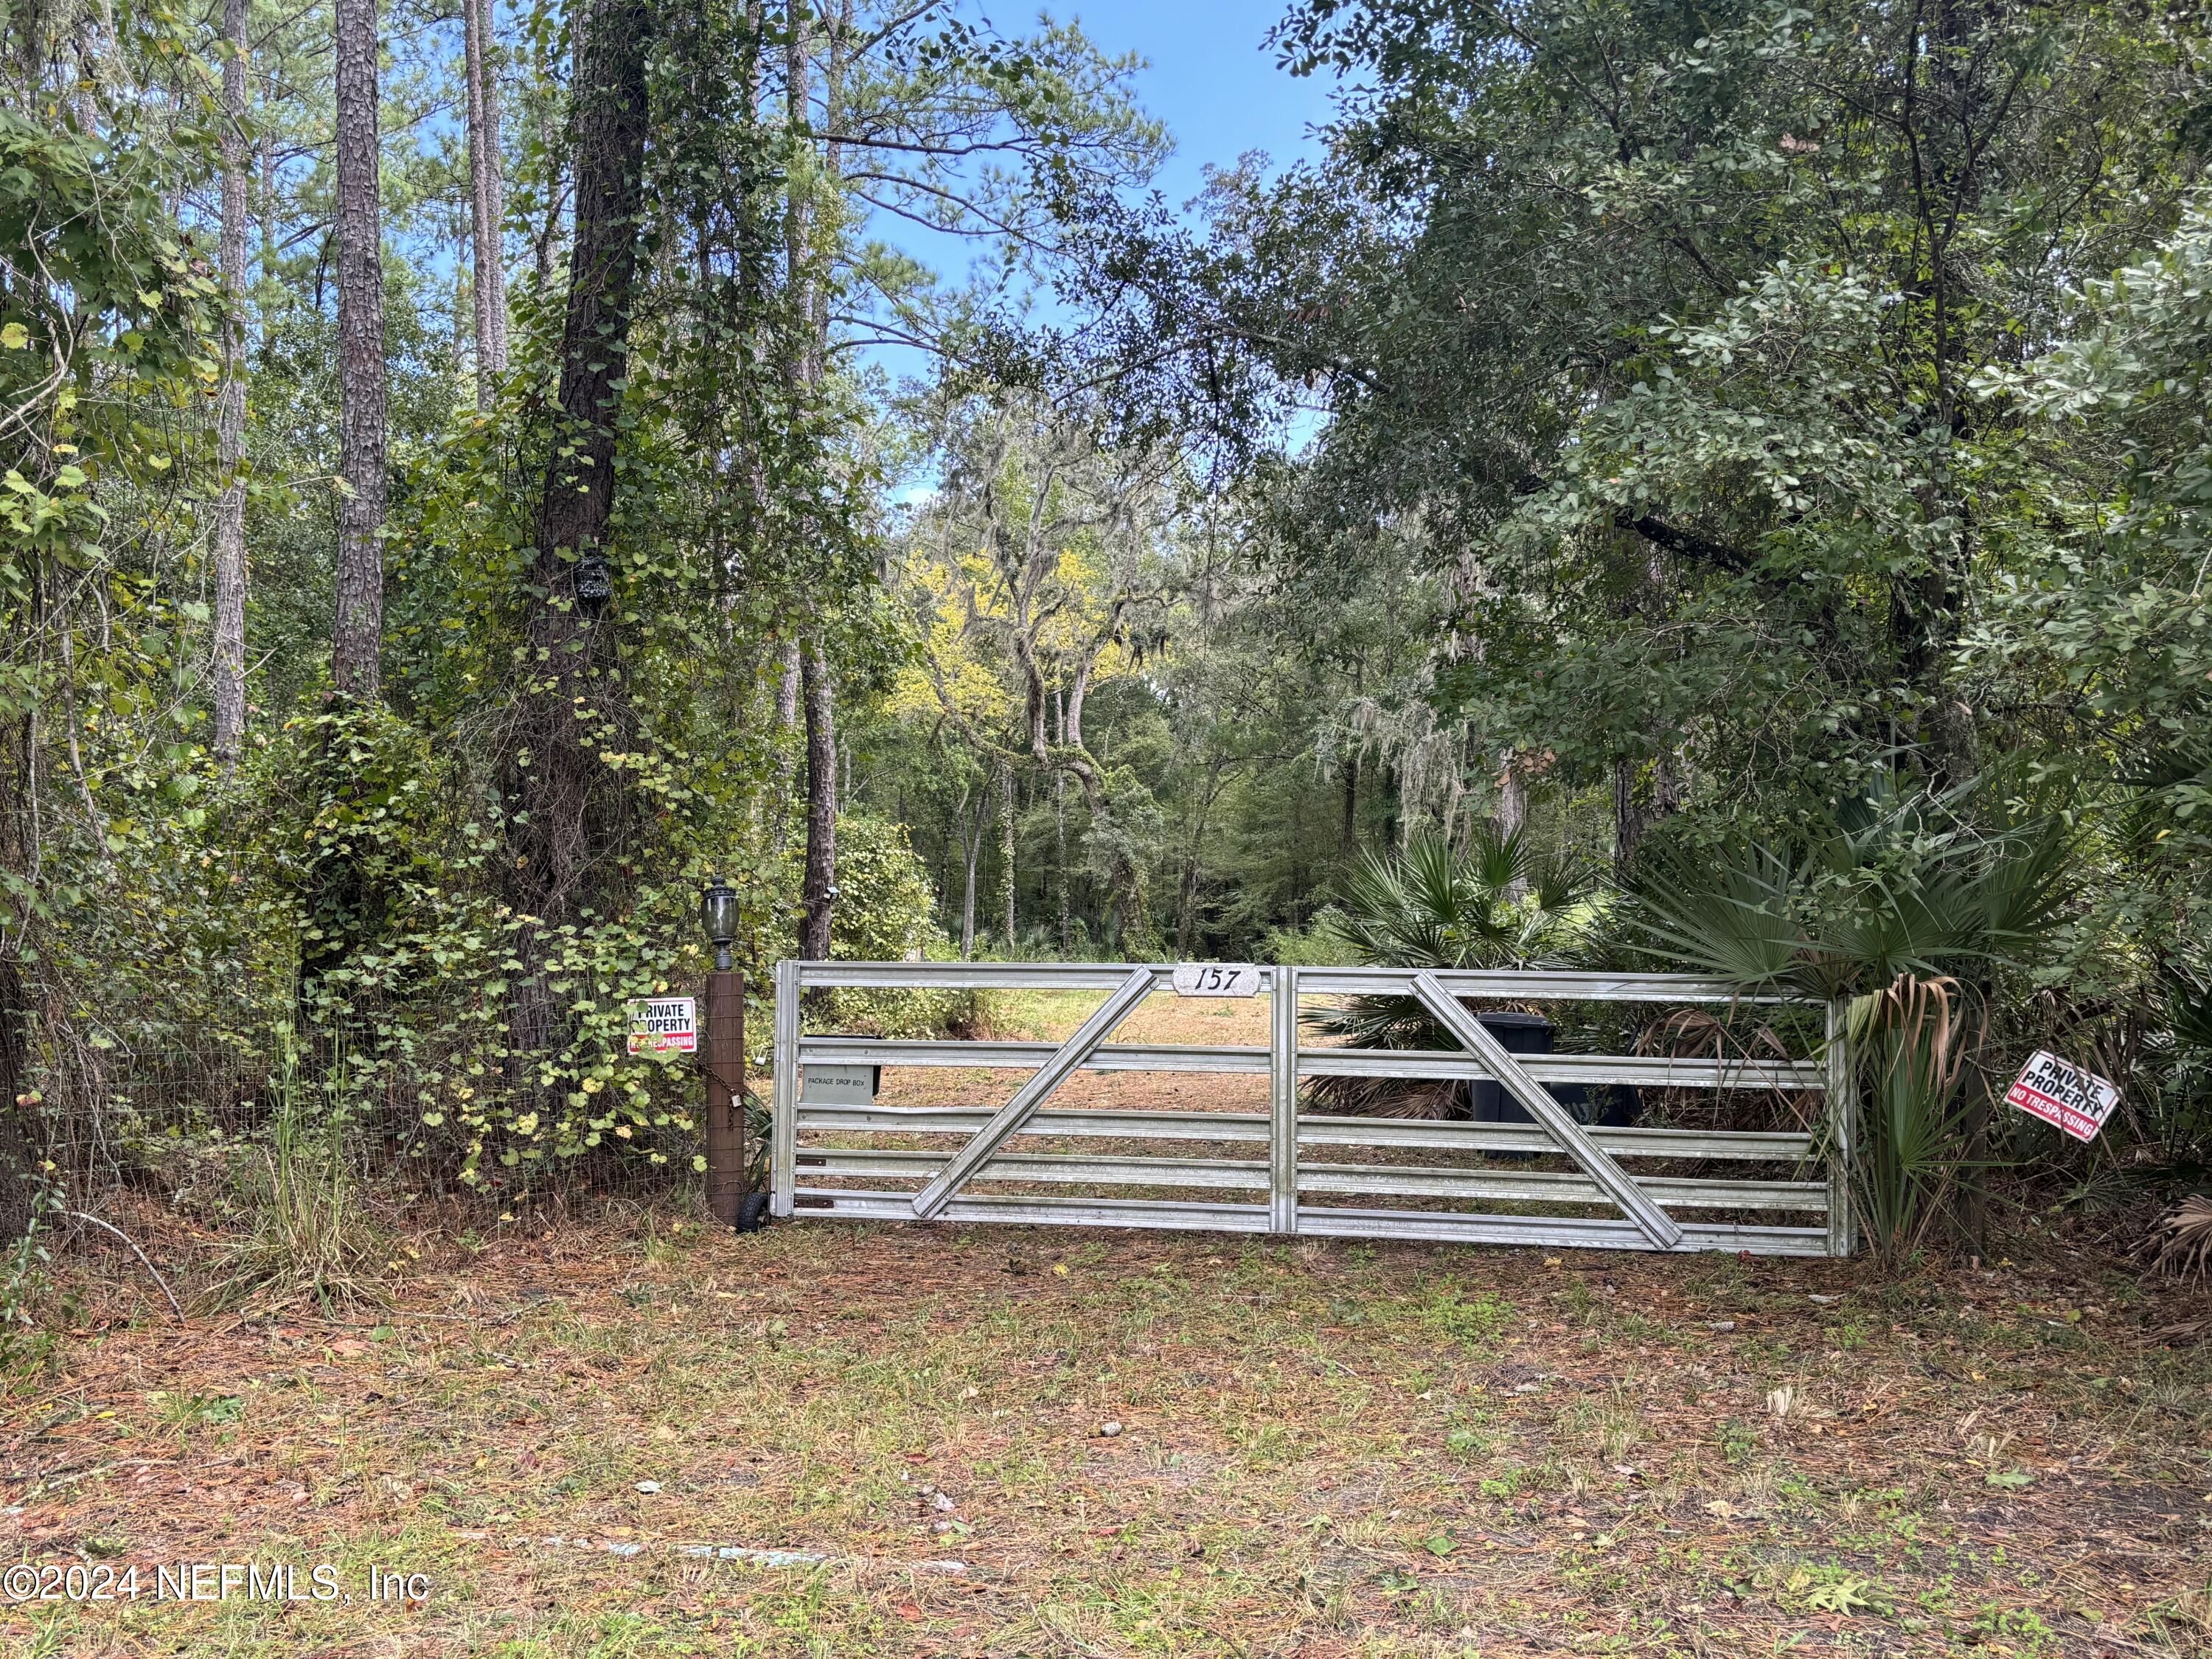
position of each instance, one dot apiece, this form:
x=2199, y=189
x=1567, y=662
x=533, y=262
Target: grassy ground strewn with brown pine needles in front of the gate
x=1324, y=1450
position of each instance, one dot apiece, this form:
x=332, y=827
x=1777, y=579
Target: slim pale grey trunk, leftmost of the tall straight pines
x=229, y=667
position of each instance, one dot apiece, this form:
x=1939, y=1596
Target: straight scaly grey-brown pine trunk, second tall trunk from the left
x=357, y=638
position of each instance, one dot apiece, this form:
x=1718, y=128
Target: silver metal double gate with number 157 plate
x=1284, y=1171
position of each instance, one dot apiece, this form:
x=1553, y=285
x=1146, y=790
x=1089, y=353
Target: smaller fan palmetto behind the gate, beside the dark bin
x=1499, y=904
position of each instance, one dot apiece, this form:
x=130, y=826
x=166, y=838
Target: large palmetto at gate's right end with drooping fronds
x=1906, y=915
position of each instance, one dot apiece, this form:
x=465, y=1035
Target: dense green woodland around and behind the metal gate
x=472, y=474
